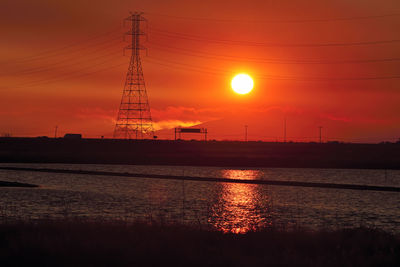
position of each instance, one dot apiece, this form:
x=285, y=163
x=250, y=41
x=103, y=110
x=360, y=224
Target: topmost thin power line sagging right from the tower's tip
x=351, y=18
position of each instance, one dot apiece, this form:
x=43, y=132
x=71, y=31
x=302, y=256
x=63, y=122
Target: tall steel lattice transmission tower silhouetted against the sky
x=134, y=117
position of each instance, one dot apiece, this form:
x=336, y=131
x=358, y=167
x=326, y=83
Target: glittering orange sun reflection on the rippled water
x=240, y=208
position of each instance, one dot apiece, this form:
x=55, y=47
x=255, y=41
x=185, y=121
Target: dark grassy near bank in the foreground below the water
x=70, y=243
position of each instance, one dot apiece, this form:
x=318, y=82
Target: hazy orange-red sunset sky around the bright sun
x=334, y=64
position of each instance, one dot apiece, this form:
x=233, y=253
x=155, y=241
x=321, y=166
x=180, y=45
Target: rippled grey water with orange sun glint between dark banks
x=227, y=206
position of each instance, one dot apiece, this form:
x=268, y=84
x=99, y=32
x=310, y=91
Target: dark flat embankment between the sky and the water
x=212, y=153
